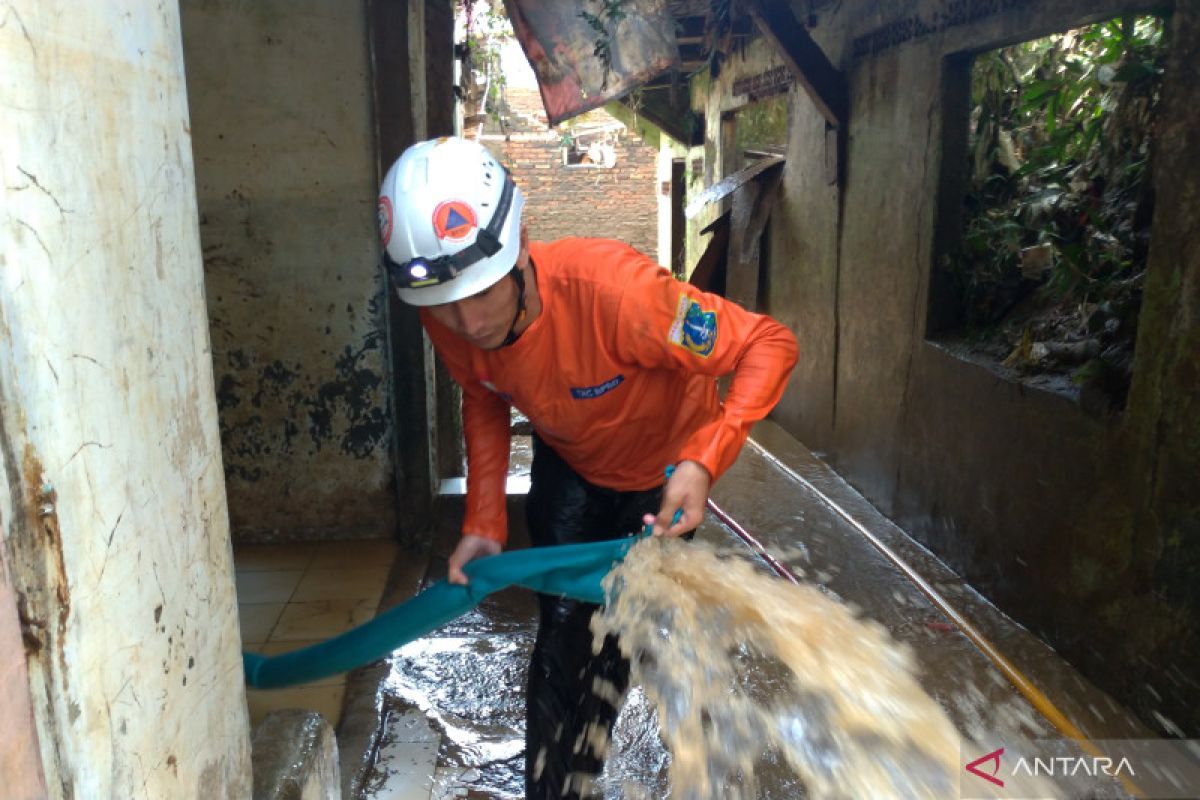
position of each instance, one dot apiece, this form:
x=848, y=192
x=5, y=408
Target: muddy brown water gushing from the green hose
x=740, y=665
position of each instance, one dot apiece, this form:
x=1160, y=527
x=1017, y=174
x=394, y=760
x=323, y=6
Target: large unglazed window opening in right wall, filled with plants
x=1047, y=204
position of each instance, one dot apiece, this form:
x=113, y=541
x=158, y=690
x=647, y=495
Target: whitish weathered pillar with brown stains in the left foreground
x=116, y=533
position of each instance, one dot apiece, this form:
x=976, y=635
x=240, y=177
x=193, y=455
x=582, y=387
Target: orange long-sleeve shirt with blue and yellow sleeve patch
x=617, y=375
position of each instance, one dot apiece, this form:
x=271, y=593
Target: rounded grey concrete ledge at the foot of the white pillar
x=295, y=757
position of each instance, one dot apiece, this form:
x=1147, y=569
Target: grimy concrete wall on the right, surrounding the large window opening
x=1083, y=528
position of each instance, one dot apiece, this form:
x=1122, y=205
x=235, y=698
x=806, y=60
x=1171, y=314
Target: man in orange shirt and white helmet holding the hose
x=615, y=364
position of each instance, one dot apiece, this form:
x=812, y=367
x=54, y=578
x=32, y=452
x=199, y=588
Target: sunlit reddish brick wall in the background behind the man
x=616, y=203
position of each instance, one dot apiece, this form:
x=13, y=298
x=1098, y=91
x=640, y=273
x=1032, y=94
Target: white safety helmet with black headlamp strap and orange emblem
x=449, y=220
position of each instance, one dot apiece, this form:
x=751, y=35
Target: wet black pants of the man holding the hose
x=565, y=509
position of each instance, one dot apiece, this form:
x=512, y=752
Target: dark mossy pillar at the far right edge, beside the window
x=1165, y=401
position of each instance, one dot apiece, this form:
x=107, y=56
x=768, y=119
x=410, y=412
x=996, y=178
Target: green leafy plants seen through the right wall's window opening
x=1060, y=147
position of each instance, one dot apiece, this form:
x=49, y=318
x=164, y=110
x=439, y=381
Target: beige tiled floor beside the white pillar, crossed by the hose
x=292, y=596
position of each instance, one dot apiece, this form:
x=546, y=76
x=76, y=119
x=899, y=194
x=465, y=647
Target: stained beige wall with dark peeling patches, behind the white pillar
x=285, y=146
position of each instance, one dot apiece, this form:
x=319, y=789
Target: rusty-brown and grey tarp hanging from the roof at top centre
x=589, y=52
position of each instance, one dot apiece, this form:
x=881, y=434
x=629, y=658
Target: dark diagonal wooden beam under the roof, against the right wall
x=825, y=83
